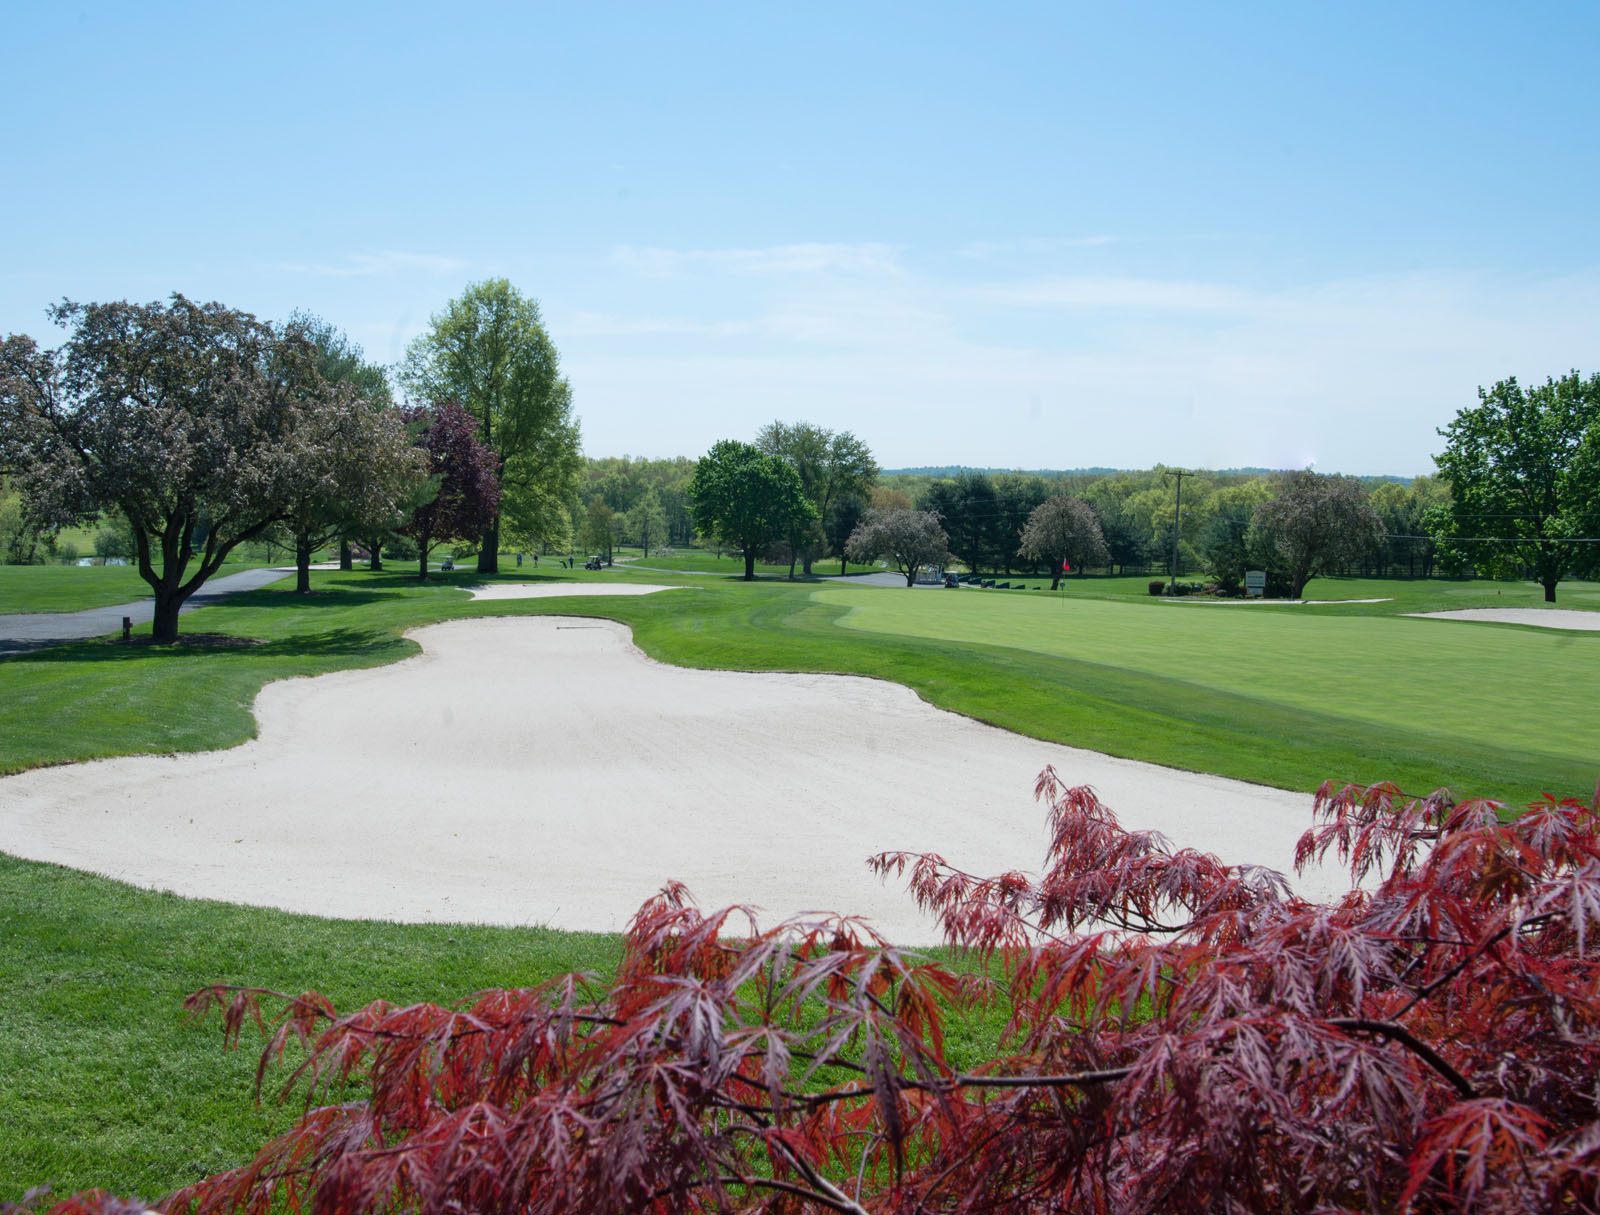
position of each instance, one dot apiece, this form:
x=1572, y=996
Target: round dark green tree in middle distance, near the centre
x=748, y=500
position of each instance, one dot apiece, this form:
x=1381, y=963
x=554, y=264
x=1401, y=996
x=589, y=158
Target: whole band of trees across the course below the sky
x=130, y=430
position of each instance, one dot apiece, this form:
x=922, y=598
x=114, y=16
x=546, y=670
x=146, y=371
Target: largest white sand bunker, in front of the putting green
x=543, y=771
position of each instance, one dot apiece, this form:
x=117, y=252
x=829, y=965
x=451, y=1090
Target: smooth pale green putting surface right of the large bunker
x=1503, y=689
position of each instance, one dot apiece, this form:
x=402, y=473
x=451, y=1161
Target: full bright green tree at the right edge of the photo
x=1524, y=471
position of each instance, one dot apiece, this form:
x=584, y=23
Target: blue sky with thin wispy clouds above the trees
x=996, y=235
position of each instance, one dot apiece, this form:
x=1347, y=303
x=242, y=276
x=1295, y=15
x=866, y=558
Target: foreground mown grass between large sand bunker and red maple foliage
x=108, y=1085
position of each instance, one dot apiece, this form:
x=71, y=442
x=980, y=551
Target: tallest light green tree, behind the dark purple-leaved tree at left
x=489, y=350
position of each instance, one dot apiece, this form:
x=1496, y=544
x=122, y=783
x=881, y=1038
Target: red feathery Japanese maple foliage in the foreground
x=1185, y=1037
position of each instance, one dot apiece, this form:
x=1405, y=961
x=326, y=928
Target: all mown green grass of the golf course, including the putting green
x=106, y=1086
